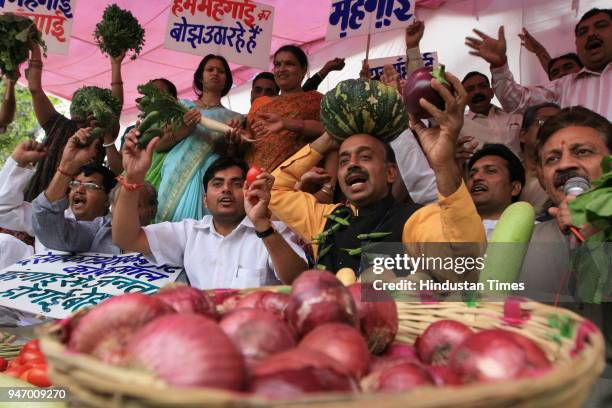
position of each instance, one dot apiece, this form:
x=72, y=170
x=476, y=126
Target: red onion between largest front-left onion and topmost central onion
x=257, y=333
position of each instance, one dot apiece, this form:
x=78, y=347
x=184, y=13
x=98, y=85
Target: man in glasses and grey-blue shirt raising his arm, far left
x=59, y=233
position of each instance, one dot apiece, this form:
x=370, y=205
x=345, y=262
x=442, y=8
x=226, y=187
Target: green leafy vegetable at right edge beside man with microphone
x=593, y=259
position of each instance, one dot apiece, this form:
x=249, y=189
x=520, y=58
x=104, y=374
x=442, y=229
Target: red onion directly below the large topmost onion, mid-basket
x=343, y=343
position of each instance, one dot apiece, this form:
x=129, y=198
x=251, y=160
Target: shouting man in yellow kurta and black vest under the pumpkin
x=366, y=172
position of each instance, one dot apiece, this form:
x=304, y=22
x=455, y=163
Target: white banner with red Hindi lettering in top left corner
x=53, y=18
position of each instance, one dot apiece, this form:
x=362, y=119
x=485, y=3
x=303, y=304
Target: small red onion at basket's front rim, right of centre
x=398, y=378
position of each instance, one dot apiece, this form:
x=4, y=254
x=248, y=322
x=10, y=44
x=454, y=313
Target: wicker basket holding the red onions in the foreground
x=578, y=357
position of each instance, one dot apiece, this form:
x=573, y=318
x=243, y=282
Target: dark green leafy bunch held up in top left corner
x=16, y=32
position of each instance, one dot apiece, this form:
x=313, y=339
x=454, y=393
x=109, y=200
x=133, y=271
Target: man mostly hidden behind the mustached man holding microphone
x=532, y=191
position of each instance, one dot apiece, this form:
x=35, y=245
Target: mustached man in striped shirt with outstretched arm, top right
x=590, y=87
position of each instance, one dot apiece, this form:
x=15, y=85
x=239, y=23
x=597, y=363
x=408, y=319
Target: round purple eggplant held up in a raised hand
x=418, y=85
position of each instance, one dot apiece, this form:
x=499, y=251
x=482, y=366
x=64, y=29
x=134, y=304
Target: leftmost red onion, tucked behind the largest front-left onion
x=106, y=329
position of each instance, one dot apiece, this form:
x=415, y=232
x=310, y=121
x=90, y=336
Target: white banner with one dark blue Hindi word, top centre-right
x=352, y=18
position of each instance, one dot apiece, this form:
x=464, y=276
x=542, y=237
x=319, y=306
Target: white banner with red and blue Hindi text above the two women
x=239, y=30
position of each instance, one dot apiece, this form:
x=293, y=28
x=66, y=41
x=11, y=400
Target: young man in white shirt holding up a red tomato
x=235, y=247
